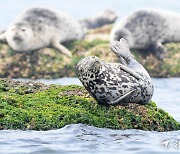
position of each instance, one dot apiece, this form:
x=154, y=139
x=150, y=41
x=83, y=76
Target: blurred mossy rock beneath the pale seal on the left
x=44, y=63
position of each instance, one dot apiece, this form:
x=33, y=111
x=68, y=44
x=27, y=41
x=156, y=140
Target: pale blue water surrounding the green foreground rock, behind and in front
x=83, y=139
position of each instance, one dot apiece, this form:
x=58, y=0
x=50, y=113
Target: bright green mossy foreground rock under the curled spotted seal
x=39, y=107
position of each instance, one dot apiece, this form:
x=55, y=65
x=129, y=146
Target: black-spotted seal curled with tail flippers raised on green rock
x=114, y=83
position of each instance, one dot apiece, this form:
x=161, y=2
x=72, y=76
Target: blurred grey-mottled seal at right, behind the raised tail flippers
x=148, y=29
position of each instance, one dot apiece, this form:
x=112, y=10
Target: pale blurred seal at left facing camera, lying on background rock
x=41, y=27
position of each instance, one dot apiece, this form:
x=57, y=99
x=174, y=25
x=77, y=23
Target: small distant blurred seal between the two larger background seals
x=99, y=20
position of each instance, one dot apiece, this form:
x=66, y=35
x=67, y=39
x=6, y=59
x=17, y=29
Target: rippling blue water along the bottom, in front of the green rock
x=82, y=139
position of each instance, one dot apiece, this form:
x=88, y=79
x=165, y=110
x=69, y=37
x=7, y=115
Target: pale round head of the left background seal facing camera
x=18, y=36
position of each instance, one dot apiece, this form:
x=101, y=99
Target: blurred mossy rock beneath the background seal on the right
x=169, y=67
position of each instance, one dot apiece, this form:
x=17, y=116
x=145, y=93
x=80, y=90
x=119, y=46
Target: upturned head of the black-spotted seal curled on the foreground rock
x=88, y=68
